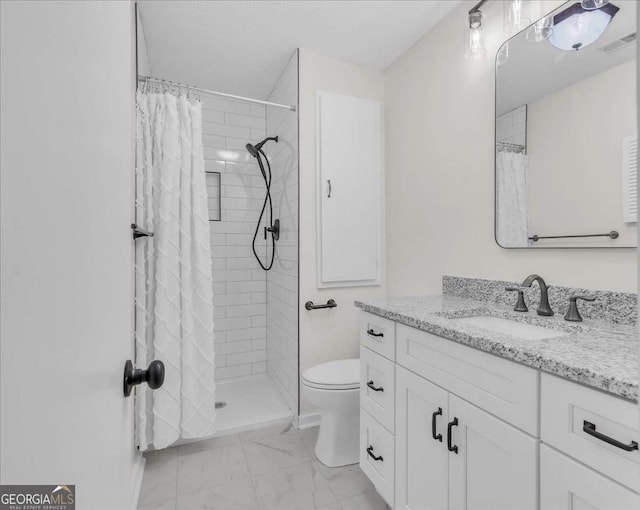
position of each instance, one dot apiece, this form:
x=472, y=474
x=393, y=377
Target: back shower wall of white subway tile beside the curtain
x=239, y=288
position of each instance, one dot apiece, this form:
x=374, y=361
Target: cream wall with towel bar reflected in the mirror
x=575, y=157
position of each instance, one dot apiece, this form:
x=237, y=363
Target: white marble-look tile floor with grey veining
x=266, y=469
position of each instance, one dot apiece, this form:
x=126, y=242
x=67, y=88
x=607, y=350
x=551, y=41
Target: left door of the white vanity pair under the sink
x=421, y=461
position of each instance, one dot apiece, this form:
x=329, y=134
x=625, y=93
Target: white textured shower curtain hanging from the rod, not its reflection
x=174, y=292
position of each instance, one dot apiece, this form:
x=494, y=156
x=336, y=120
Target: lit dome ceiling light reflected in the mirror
x=577, y=27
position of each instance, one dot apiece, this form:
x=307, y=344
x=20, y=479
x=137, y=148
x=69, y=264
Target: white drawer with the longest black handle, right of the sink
x=568, y=408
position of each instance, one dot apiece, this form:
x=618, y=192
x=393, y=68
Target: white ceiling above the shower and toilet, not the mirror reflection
x=241, y=47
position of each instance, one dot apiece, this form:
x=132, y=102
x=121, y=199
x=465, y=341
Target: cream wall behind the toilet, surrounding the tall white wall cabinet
x=326, y=335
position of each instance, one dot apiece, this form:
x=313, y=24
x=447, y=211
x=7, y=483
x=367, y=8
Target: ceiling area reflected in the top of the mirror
x=534, y=70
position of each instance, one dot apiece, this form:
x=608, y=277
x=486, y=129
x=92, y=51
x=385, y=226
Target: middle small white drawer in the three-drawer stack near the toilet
x=377, y=387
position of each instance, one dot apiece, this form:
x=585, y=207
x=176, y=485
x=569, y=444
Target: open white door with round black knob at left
x=67, y=86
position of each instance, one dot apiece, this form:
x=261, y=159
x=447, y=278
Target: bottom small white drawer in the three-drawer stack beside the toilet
x=376, y=441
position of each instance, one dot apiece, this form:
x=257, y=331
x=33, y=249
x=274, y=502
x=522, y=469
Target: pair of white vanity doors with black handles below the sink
x=451, y=454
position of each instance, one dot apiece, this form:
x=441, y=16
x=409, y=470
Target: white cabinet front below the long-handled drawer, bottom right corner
x=568, y=485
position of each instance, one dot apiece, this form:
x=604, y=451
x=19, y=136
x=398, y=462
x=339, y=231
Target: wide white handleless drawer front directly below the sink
x=503, y=388
